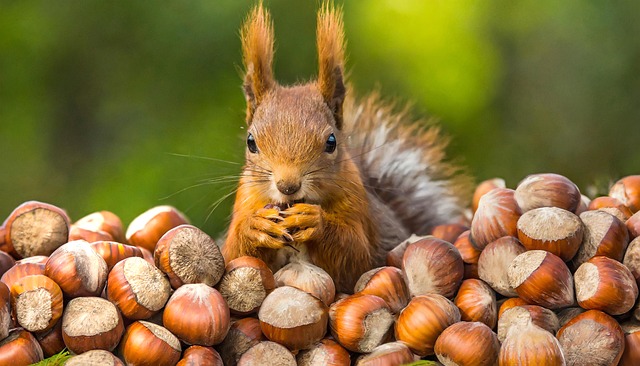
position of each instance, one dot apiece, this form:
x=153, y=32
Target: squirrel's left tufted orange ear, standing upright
x=257, y=51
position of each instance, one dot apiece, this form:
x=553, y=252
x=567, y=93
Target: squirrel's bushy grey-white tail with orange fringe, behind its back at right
x=402, y=162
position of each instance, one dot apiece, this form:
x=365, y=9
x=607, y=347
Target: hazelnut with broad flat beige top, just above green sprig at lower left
x=91, y=323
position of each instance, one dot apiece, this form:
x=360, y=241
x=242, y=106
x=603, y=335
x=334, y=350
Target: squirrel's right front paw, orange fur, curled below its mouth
x=303, y=221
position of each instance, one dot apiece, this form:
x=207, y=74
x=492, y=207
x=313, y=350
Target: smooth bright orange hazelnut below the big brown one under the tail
x=423, y=320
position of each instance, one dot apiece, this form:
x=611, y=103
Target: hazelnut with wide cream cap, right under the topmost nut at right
x=552, y=229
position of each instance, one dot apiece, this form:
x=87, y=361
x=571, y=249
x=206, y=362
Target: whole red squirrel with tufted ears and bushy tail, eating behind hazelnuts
x=327, y=179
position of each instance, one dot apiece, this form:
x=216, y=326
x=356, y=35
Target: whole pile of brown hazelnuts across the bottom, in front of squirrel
x=539, y=274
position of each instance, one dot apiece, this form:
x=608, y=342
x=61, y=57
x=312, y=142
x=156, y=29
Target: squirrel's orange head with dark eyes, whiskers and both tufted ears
x=294, y=133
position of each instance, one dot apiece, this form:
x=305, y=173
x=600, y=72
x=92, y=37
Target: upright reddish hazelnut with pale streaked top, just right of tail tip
x=497, y=216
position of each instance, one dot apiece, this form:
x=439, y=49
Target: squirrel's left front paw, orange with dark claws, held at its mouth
x=266, y=230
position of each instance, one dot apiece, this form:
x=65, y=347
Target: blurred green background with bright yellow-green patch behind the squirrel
x=124, y=105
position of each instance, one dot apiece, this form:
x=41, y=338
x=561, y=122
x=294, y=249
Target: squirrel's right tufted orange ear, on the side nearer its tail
x=330, y=40
